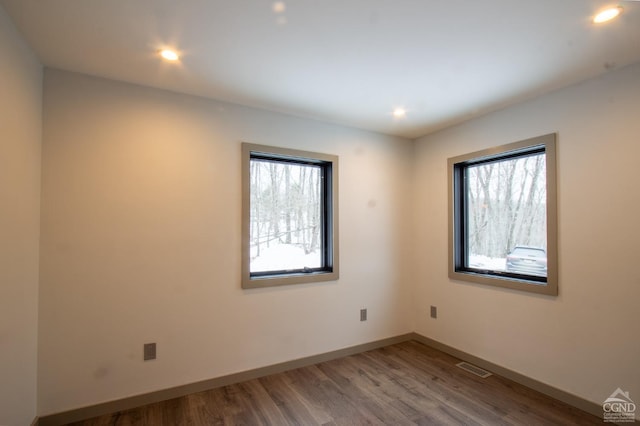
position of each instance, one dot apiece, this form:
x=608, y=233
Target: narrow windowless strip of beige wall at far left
x=20, y=130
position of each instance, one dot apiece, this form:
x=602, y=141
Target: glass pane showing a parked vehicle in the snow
x=506, y=215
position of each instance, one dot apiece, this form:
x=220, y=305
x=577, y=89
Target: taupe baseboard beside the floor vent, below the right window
x=555, y=393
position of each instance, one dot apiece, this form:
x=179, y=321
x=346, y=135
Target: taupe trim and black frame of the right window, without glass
x=547, y=143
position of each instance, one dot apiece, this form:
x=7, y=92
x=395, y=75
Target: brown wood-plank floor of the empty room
x=404, y=384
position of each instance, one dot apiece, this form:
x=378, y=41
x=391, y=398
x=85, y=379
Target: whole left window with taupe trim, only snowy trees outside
x=290, y=216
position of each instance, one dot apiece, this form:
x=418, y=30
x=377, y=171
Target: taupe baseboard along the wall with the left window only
x=101, y=409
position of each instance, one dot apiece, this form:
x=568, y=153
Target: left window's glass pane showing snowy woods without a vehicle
x=286, y=216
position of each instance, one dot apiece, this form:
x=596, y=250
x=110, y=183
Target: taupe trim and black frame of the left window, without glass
x=330, y=225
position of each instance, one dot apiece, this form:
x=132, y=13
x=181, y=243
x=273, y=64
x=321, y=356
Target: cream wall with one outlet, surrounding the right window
x=585, y=341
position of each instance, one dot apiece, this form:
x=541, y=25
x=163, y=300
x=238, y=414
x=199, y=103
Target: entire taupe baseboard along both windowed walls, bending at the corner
x=88, y=412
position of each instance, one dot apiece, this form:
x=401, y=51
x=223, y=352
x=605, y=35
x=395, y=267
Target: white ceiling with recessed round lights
x=349, y=62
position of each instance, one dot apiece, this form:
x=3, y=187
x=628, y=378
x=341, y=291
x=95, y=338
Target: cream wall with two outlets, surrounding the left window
x=141, y=242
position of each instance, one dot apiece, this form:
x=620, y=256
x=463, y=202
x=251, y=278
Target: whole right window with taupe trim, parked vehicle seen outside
x=502, y=216
